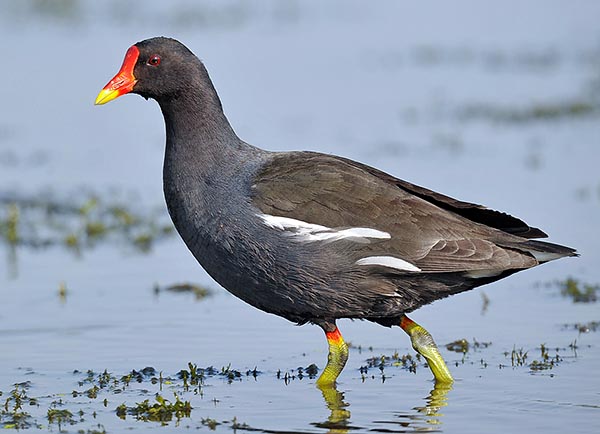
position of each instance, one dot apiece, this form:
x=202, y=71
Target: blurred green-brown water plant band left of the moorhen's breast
x=78, y=221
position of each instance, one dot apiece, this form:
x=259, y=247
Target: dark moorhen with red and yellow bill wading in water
x=313, y=237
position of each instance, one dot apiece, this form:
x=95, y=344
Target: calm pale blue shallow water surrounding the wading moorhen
x=497, y=105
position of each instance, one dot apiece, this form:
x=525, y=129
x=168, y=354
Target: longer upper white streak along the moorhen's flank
x=304, y=231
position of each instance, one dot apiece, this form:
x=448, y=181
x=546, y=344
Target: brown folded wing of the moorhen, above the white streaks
x=431, y=231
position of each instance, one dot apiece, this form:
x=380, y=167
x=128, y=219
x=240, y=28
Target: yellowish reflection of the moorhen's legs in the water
x=426, y=418
